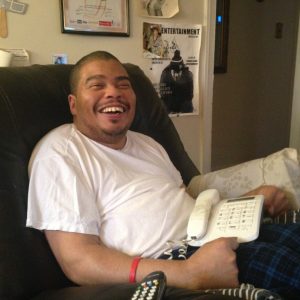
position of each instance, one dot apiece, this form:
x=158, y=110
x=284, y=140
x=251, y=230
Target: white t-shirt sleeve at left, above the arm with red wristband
x=61, y=198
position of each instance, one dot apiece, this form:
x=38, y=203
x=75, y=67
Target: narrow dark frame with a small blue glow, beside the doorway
x=221, y=40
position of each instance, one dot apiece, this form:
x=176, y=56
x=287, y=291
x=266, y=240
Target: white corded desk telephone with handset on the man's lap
x=212, y=218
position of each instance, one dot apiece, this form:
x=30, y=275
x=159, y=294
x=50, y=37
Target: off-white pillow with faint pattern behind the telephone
x=280, y=169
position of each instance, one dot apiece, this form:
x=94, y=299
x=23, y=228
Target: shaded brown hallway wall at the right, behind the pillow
x=252, y=101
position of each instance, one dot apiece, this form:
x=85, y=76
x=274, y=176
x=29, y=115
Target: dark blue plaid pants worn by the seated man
x=271, y=262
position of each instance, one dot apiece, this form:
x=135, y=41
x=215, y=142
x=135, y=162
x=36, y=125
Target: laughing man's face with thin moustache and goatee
x=104, y=105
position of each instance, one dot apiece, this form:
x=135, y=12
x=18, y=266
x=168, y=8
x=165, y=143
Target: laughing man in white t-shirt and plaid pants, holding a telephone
x=106, y=196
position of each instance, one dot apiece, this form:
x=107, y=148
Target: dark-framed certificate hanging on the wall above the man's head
x=96, y=17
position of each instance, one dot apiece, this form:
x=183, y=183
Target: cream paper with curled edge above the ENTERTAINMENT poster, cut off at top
x=159, y=8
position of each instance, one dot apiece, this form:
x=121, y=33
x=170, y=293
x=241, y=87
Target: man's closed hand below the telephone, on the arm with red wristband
x=213, y=265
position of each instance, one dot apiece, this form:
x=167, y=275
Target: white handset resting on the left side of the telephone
x=198, y=220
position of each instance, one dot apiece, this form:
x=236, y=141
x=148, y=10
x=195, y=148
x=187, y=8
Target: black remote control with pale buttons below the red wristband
x=152, y=287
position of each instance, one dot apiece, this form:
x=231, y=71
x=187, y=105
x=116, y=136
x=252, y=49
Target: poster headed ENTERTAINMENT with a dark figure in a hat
x=173, y=51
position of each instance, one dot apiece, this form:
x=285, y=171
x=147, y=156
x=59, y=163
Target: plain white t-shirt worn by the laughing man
x=132, y=198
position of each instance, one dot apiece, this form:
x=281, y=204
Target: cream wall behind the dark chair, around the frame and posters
x=39, y=31
